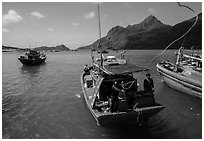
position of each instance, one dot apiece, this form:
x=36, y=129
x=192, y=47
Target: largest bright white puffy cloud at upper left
x=11, y=17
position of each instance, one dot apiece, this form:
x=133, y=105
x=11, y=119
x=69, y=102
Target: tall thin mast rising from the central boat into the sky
x=99, y=45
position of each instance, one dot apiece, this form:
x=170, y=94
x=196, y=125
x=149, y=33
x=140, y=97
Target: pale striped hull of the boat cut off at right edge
x=180, y=82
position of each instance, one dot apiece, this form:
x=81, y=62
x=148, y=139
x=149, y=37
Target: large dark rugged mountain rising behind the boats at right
x=151, y=33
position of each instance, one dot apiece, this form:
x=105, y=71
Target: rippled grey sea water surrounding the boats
x=46, y=102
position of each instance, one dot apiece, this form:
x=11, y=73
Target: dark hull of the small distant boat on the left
x=31, y=62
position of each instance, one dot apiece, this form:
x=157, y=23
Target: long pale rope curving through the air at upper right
x=180, y=36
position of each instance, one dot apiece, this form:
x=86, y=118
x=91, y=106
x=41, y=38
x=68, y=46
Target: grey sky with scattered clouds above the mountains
x=75, y=24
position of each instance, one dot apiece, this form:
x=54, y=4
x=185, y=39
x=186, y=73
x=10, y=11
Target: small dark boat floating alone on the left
x=32, y=58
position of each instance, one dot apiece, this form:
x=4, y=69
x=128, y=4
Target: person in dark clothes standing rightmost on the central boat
x=148, y=84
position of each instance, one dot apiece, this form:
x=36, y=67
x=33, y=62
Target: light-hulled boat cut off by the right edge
x=185, y=75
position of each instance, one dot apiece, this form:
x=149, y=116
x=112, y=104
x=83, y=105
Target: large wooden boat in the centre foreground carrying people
x=97, y=90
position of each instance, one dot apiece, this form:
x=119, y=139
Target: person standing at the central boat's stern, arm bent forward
x=114, y=97
